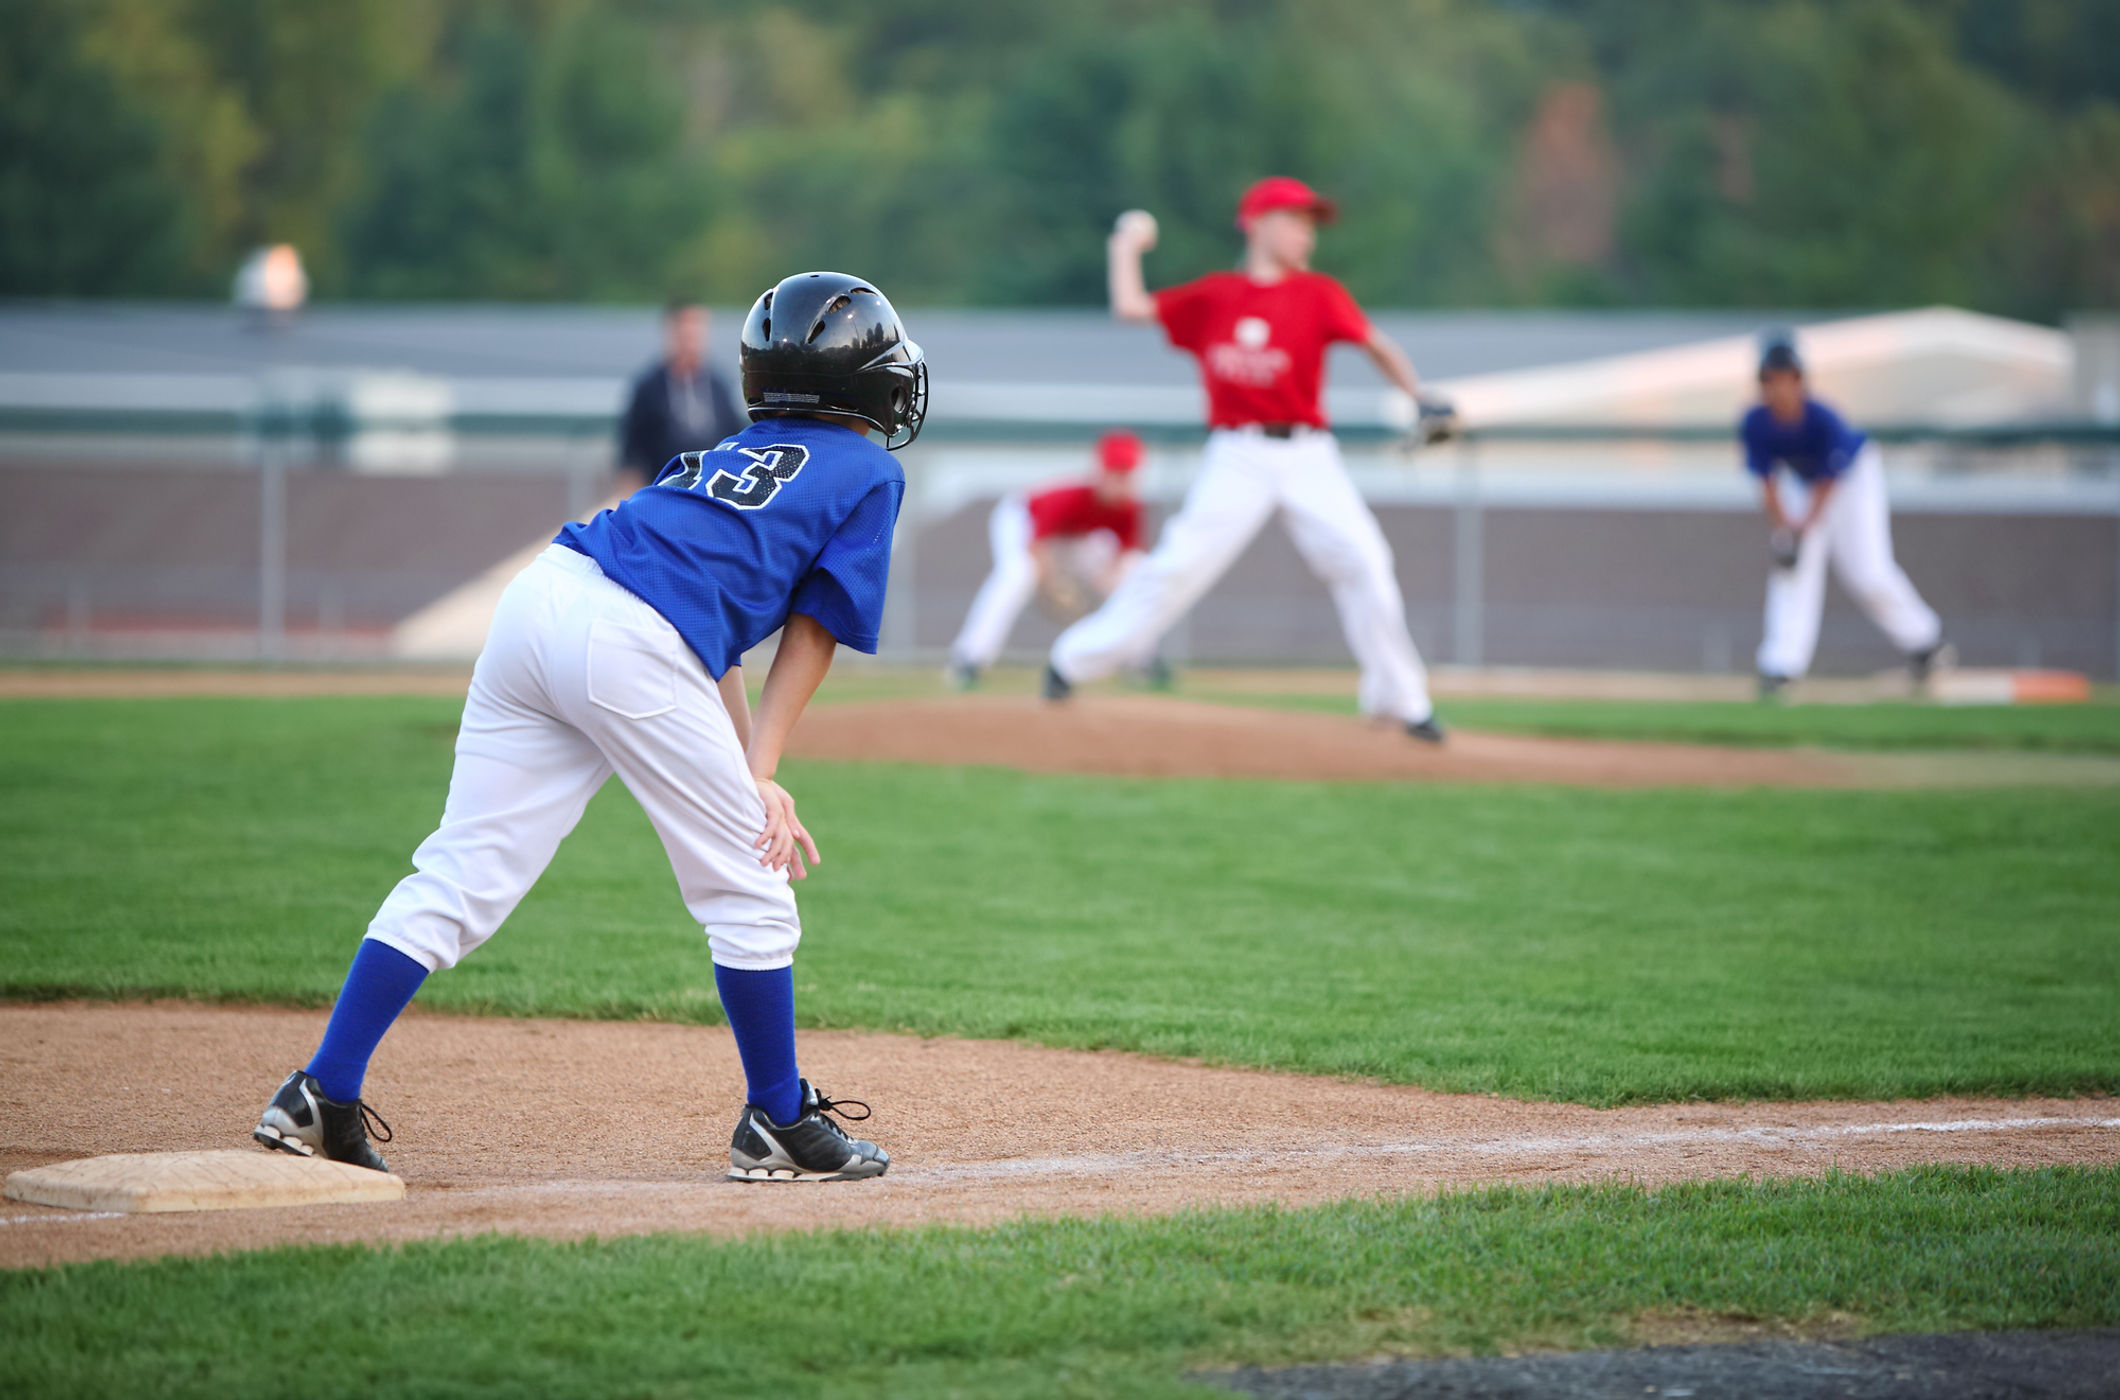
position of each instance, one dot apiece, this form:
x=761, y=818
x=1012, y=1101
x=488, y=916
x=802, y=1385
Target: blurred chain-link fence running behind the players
x=313, y=525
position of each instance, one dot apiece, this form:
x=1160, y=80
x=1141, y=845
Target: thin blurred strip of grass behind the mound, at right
x=2053, y=729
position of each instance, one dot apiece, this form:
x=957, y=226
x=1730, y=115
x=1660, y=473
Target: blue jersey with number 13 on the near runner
x=790, y=517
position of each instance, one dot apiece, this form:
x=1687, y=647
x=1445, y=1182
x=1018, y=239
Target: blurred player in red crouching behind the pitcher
x=1059, y=542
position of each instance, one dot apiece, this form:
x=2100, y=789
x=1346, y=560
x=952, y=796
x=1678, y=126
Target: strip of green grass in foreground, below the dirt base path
x=1072, y=1308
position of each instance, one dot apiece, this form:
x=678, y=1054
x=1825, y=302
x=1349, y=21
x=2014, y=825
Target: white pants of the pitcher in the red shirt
x=1243, y=483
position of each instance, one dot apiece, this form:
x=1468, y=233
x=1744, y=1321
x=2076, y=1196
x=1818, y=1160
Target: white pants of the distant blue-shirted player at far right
x=1856, y=536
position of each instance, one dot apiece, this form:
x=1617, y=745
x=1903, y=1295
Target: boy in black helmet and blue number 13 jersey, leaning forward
x=618, y=654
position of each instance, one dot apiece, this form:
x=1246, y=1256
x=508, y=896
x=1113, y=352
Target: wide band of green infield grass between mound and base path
x=1544, y=943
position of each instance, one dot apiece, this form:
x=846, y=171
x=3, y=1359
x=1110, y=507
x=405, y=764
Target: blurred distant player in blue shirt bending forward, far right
x=1843, y=519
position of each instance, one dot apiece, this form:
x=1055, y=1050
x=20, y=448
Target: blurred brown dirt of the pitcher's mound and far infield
x=1173, y=737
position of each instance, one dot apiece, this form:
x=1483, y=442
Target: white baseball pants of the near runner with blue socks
x=582, y=680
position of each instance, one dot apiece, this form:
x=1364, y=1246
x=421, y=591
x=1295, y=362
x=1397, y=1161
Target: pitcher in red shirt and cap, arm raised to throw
x=1260, y=336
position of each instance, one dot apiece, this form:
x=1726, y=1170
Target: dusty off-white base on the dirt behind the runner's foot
x=198, y=1183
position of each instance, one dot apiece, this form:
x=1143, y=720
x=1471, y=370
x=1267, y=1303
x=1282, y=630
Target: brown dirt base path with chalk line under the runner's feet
x=567, y=1130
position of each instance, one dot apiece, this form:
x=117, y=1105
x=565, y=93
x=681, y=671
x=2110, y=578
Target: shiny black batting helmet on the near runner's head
x=824, y=343
